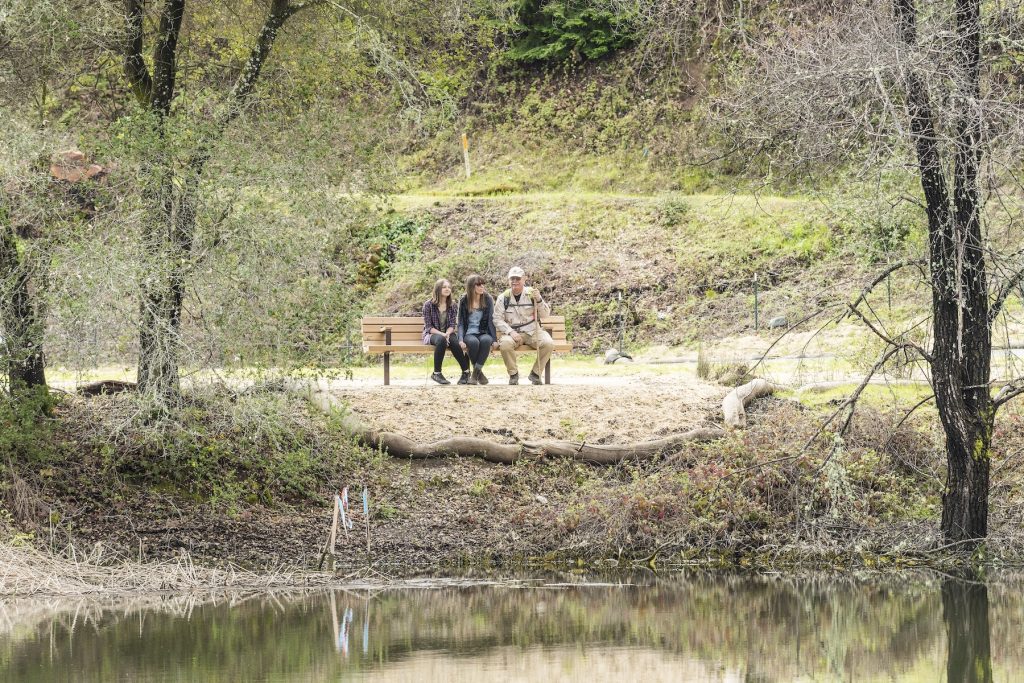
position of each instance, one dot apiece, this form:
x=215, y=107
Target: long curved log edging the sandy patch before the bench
x=464, y=447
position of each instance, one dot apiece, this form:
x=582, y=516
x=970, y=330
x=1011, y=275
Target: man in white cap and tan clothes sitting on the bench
x=518, y=318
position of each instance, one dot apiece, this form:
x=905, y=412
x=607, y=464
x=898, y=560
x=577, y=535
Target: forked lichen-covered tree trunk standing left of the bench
x=179, y=142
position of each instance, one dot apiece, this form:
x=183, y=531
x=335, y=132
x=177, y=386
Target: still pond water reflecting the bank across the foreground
x=679, y=629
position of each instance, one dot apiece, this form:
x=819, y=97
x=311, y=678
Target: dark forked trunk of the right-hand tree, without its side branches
x=961, y=356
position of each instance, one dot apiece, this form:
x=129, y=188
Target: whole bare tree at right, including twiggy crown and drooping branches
x=920, y=89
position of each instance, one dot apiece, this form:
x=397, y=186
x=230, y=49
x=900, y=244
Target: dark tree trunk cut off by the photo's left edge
x=24, y=333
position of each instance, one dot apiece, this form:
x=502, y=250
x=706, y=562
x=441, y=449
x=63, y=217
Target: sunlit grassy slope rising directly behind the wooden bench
x=684, y=264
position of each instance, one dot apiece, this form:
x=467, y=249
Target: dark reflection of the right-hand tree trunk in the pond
x=965, y=610
